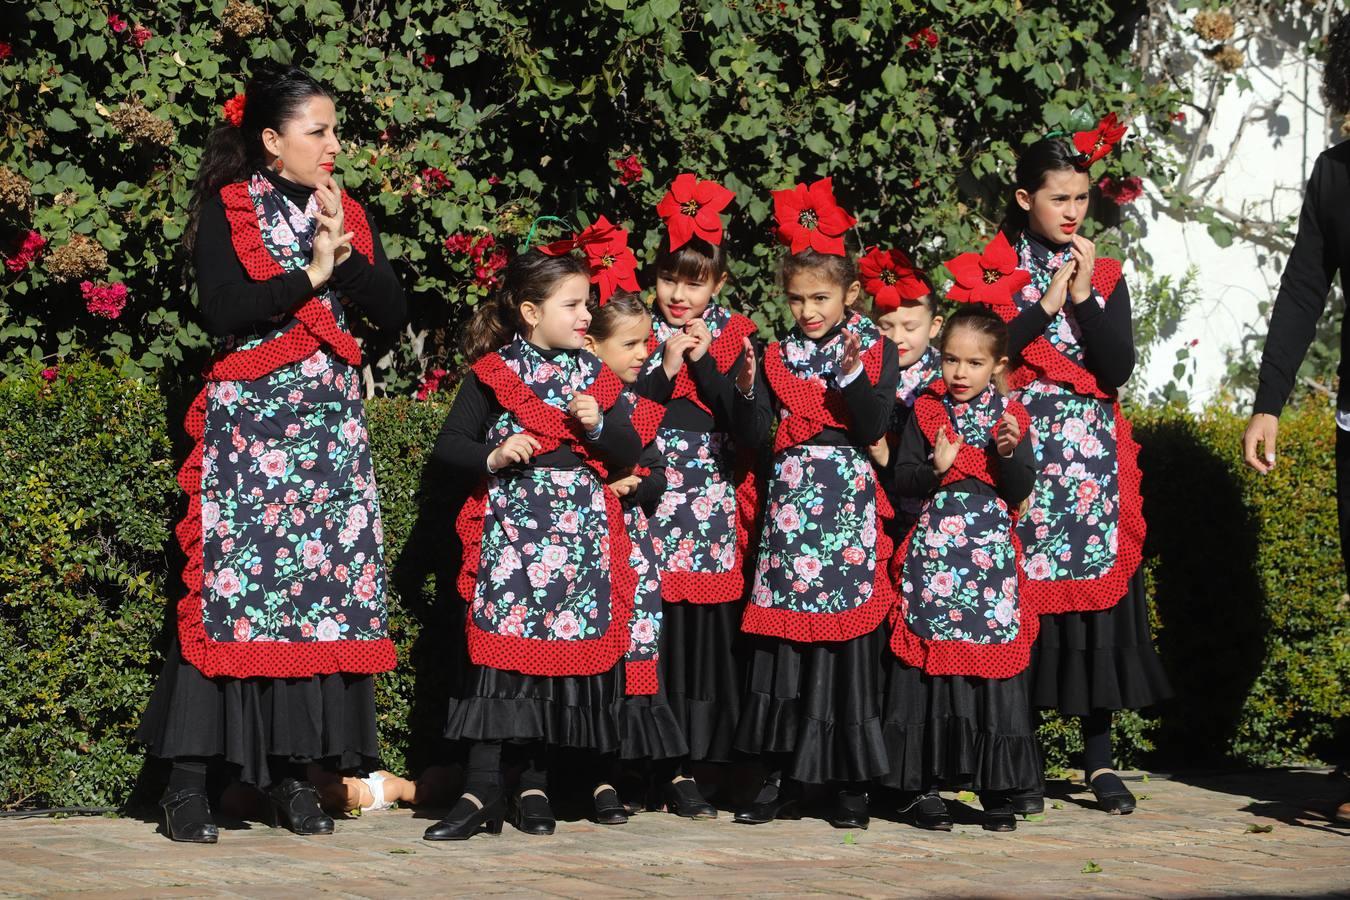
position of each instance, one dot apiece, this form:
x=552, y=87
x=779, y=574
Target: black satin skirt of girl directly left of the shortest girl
x=820, y=705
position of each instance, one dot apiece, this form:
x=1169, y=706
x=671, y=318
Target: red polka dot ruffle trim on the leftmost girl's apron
x=551, y=427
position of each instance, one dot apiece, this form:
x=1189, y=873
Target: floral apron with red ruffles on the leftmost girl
x=547, y=557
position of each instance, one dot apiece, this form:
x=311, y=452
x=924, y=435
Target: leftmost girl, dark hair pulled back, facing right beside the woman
x=547, y=569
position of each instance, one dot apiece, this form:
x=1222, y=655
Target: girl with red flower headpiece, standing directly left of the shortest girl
x=820, y=598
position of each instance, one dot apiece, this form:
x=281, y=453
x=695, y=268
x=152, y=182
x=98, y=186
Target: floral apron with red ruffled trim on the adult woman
x=286, y=566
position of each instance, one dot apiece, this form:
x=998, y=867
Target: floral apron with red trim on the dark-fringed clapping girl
x=704, y=522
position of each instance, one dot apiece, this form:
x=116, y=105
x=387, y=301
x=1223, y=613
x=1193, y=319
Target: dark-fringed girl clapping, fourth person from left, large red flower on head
x=704, y=520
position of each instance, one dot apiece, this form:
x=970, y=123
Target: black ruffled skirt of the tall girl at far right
x=1106, y=660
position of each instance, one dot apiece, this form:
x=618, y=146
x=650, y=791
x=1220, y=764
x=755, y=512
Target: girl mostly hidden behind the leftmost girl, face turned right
x=647, y=728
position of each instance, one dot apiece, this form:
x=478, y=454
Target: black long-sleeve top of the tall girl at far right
x=1108, y=333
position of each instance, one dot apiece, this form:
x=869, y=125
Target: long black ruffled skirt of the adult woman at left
x=245, y=721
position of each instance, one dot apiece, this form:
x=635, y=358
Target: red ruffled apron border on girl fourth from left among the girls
x=824, y=628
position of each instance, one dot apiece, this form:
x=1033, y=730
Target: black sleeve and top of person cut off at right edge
x=1321, y=250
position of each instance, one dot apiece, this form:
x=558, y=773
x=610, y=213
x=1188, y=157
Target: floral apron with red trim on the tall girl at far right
x=1085, y=530
